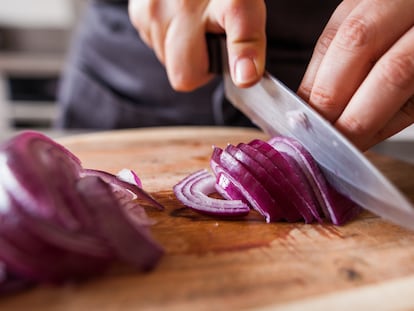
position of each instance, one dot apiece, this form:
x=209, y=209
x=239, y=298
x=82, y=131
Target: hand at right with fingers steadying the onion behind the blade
x=361, y=76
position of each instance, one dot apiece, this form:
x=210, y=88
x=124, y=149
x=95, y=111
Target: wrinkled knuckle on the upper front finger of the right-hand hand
x=355, y=32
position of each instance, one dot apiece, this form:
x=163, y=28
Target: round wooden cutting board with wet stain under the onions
x=213, y=264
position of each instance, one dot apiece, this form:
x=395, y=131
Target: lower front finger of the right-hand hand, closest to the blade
x=382, y=104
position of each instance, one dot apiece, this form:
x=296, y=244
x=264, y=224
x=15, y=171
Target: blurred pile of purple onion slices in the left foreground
x=59, y=221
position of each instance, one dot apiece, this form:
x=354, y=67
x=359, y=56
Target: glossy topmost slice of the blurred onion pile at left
x=29, y=175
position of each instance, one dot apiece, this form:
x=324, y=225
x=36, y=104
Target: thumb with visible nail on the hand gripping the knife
x=244, y=23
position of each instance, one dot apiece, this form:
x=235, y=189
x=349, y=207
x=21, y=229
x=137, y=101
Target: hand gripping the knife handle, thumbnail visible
x=176, y=31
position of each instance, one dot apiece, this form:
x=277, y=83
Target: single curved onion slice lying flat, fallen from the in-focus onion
x=193, y=192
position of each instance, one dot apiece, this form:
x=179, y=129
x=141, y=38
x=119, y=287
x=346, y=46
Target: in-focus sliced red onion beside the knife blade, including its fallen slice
x=279, y=179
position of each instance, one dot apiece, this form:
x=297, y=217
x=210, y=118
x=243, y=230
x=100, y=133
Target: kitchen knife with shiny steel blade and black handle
x=277, y=110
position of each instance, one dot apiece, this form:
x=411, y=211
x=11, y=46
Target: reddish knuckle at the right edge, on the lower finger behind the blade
x=397, y=70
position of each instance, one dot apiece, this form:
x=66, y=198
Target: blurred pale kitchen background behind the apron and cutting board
x=34, y=37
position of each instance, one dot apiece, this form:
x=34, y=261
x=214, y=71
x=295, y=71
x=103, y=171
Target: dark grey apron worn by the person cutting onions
x=113, y=80
